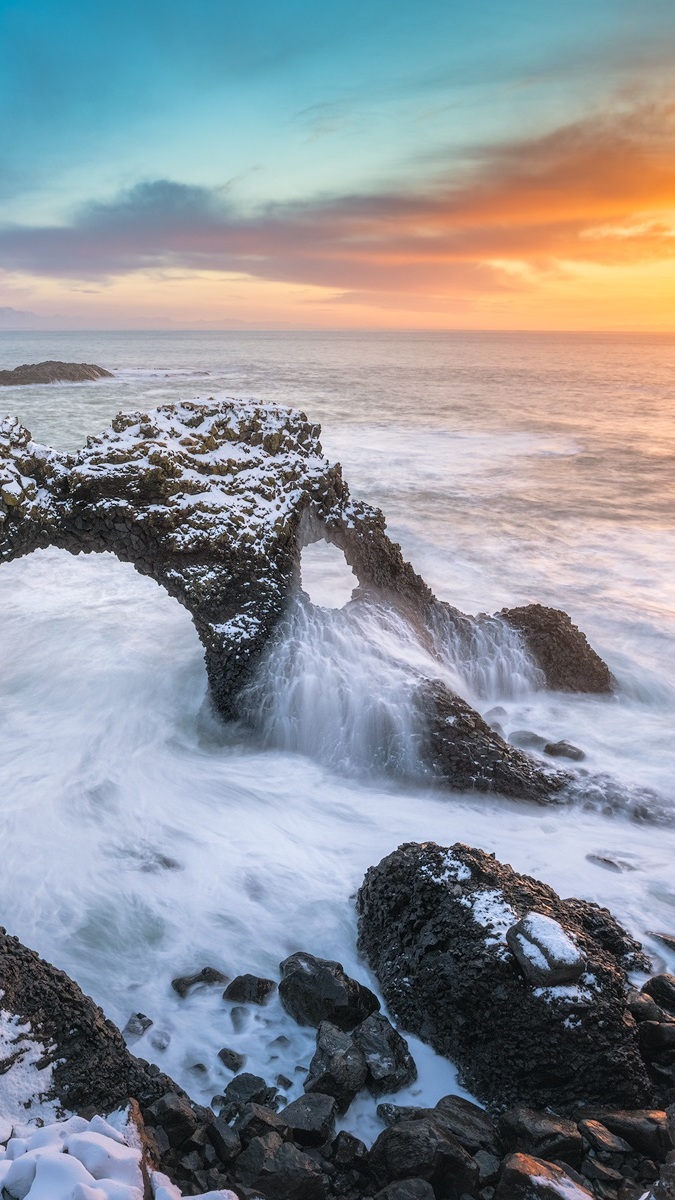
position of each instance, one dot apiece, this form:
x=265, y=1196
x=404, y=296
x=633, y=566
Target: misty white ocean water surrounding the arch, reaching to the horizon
x=142, y=839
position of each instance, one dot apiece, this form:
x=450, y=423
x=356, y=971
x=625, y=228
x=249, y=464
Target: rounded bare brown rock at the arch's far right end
x=560, y=650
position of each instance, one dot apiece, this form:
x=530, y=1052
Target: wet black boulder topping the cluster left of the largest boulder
x=314, y=991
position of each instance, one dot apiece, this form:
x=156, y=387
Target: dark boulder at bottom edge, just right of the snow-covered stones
x=279, y=1171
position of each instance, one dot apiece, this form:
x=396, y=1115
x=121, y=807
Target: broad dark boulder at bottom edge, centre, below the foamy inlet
x=425, y=1150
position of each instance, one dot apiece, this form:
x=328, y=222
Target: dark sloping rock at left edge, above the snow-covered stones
x=92, y=1065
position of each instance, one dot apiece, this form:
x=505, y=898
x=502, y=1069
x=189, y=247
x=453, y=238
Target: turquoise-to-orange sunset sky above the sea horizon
x=292, y=165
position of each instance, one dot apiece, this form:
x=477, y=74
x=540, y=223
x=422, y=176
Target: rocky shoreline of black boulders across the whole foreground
x=527, y=993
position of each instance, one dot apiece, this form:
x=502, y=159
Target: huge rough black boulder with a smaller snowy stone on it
x=433, y=925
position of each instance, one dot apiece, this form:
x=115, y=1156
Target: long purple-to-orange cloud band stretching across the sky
x=601, y=193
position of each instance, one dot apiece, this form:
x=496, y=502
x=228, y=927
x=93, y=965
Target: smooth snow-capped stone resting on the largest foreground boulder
x=547, y=955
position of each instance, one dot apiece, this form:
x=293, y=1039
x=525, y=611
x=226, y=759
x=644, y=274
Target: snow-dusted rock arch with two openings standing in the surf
x=216, y=502
